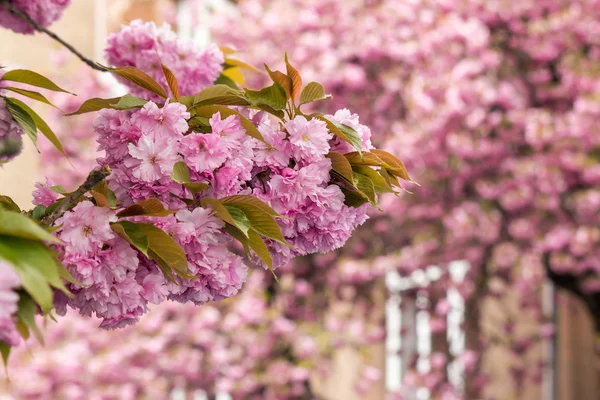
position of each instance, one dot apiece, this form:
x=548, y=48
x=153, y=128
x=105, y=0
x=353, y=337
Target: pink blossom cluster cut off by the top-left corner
x=43, y=12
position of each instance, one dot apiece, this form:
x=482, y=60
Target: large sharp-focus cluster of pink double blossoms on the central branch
x=142, y=148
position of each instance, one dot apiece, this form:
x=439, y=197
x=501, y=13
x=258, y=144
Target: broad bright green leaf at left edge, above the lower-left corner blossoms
x=35, y=265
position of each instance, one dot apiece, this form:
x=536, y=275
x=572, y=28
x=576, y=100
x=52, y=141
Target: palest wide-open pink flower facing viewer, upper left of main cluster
x=156, y=159
